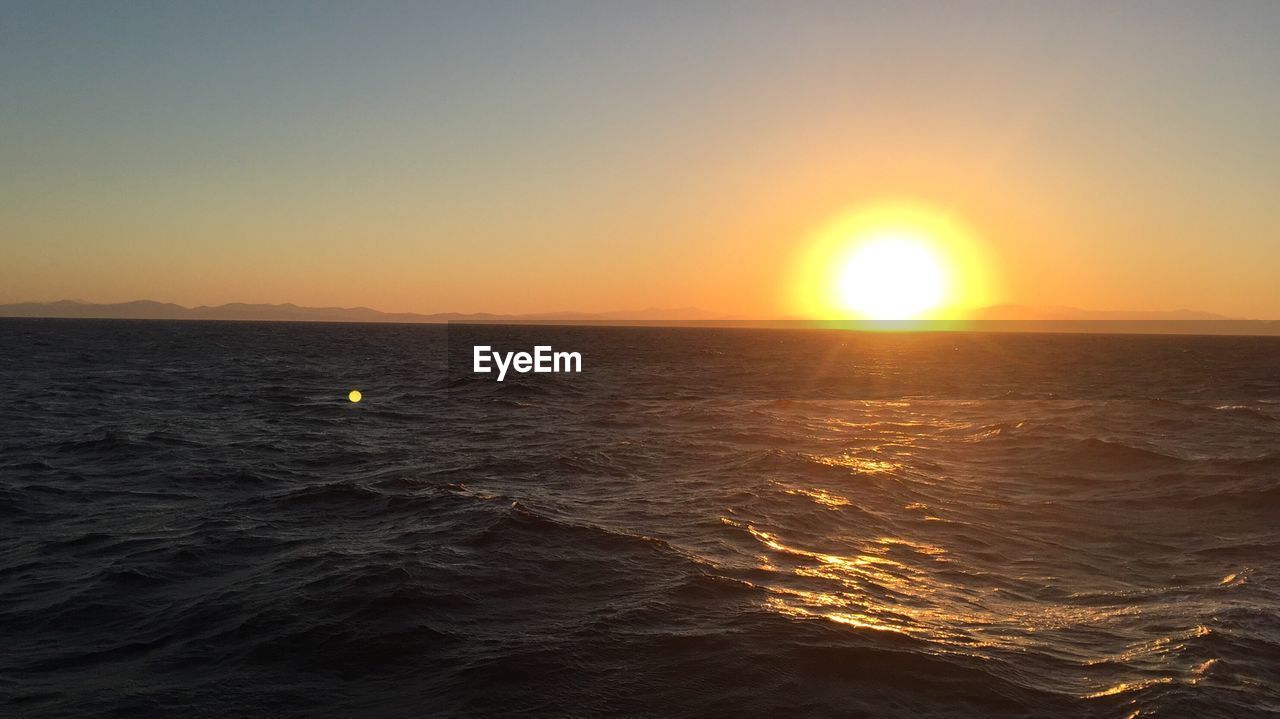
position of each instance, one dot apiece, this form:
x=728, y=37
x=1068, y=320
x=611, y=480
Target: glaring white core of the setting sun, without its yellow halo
x=893, y=277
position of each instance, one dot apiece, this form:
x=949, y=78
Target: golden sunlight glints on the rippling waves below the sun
x=959, y=599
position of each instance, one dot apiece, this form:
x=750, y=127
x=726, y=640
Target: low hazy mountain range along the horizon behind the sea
x=1009, y=317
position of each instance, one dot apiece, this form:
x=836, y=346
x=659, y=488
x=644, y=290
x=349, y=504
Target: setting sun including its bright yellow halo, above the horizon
x=892, y=262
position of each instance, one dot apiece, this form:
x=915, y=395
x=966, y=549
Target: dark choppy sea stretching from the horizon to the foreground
x=196, y=521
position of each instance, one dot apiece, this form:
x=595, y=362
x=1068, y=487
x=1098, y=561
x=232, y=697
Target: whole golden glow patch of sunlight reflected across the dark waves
x=865, y=561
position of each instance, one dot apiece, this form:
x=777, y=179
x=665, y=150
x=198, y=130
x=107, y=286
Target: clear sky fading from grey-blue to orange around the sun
x=600, y=155
